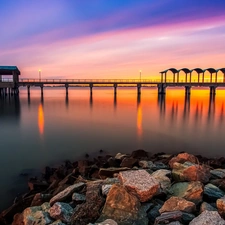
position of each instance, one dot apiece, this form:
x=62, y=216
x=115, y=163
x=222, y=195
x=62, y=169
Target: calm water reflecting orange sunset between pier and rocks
x=37, y=132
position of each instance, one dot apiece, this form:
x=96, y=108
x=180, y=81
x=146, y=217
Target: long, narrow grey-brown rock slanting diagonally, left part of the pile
x=66, y=193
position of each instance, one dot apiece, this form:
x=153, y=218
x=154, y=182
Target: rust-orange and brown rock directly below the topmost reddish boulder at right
x=190, y=172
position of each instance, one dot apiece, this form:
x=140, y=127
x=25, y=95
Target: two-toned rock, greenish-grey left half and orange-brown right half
x=191, y=191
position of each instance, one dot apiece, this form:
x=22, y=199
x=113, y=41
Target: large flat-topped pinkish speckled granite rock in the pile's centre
x=140, y=183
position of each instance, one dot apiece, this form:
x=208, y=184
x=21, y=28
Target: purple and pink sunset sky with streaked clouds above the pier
x=111, y=38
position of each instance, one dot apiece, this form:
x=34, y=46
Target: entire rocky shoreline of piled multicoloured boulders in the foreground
x=134, y=189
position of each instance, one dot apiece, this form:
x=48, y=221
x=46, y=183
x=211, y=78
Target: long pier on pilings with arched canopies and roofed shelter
x=12, y=85
